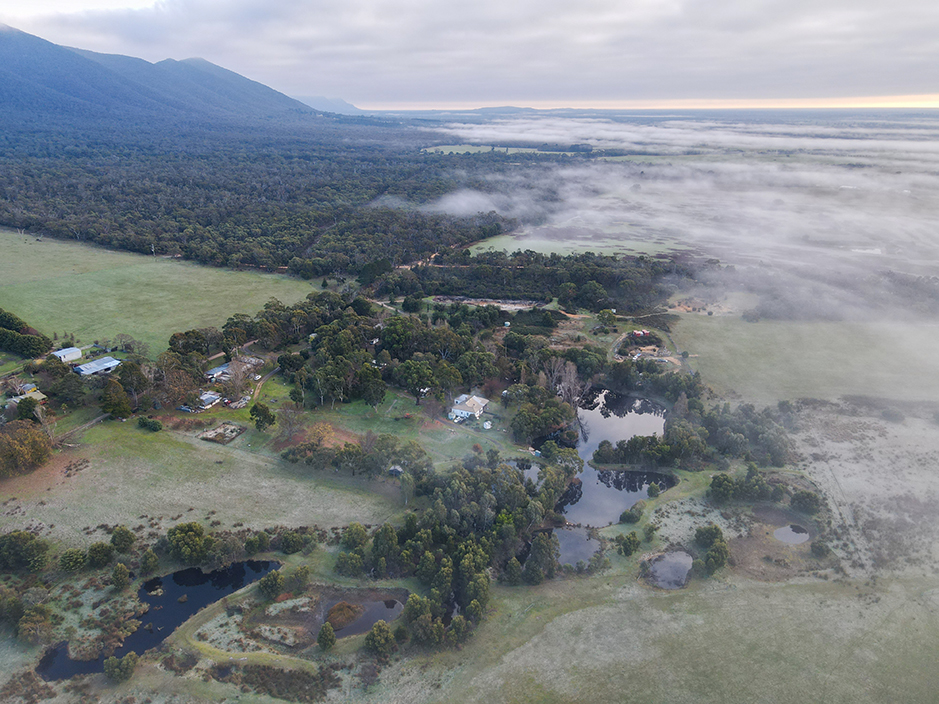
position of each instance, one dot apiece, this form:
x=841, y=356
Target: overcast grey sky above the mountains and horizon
x=538, y=53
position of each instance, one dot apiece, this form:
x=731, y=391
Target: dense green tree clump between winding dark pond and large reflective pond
x=479, y=517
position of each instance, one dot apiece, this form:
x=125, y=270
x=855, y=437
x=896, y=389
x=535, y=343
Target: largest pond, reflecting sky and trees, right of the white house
x=601, y=496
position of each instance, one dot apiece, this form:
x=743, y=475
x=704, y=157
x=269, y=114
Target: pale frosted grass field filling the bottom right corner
x=596, y=640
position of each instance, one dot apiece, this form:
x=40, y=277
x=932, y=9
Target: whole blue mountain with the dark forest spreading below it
x=186, y=158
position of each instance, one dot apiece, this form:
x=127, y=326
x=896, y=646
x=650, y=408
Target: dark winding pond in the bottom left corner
x=165, y=615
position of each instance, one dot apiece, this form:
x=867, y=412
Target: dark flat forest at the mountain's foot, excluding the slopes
x=319, y=197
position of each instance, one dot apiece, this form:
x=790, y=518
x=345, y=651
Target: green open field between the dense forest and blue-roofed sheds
x=59, y=286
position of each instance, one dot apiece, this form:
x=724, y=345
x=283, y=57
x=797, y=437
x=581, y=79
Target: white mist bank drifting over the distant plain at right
x=827, y=217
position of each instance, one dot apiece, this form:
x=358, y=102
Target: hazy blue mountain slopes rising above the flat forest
x=39, y=78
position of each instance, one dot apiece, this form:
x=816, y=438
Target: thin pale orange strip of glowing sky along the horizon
x=884, y=101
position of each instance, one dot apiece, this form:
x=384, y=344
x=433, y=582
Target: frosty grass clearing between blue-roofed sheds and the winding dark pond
x=173, y=474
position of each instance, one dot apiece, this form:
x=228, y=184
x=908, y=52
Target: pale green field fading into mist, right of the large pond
x=771, y=360
